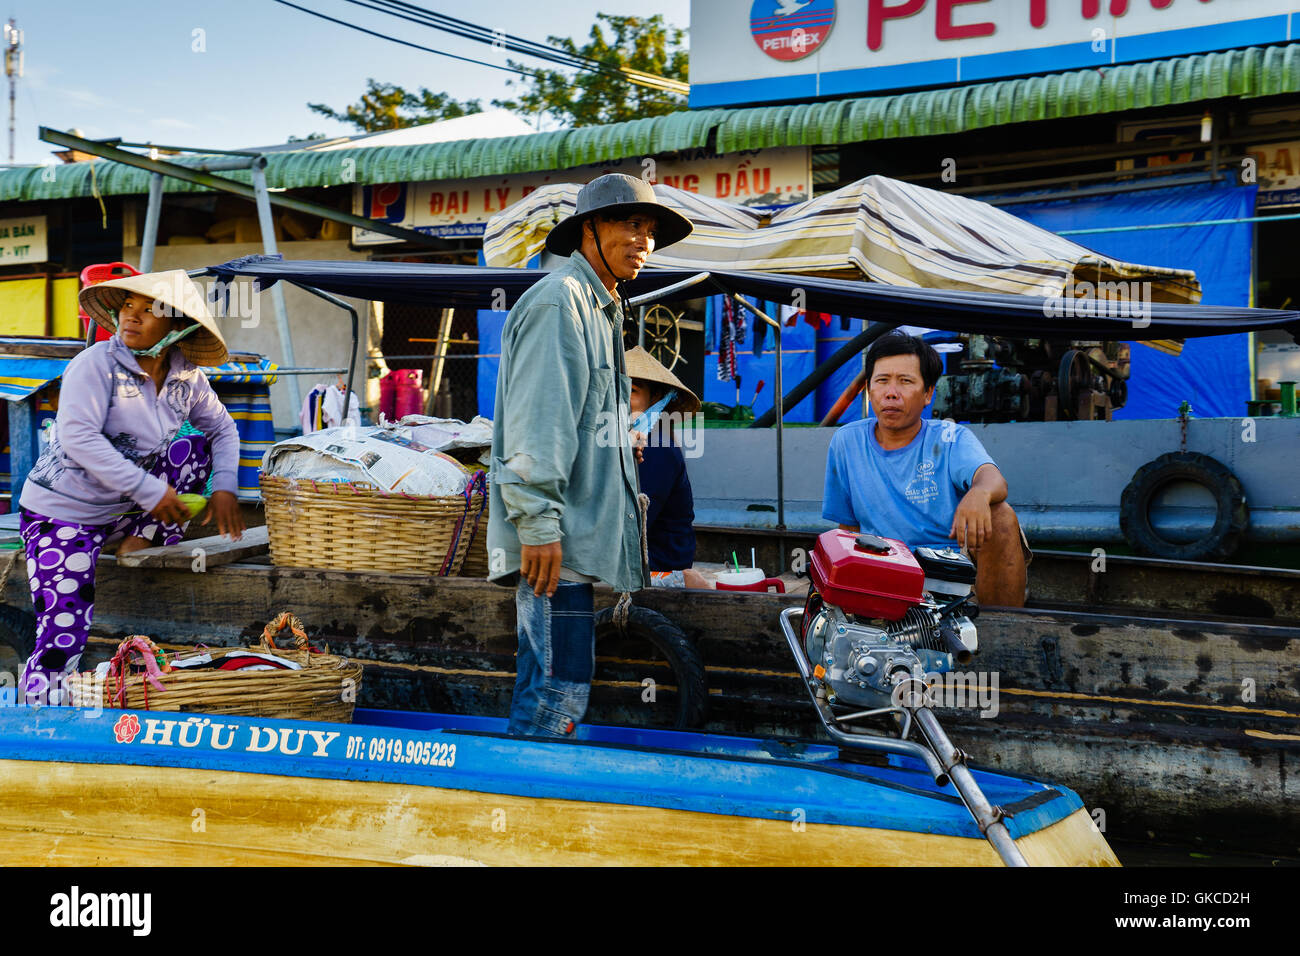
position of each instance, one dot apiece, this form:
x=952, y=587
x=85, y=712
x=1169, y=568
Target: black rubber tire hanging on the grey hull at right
x=1232, y=520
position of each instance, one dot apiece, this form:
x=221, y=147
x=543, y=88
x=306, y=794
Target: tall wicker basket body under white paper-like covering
x=357, y=527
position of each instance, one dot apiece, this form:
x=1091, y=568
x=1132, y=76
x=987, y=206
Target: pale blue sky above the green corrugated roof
x=236, y=73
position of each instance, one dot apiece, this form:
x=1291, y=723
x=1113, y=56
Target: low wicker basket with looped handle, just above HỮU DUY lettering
x=324, y=689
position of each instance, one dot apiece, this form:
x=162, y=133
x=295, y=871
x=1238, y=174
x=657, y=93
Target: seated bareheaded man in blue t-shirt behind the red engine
x=924, y=482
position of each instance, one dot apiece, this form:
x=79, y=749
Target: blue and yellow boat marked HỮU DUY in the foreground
x=125, y=789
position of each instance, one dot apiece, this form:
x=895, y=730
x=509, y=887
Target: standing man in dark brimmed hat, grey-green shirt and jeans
x=565, y=491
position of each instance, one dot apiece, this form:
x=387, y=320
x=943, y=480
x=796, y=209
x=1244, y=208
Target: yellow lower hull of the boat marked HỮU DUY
x=99, y=815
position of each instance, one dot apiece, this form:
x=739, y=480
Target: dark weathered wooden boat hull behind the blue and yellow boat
x=1185, y=729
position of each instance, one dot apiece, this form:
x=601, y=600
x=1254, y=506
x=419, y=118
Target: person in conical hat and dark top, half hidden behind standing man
x=660, y=400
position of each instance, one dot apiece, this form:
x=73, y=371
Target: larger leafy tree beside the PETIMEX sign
x=588, y=100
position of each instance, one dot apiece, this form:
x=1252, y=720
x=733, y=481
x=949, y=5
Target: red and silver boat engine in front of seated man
x=879, y=616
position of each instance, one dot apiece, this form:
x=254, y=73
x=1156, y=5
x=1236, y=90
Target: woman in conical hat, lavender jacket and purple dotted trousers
x=116, y=461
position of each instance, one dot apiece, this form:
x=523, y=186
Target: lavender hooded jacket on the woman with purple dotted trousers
x=112, y=427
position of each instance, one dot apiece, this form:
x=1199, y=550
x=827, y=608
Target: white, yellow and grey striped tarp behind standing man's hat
x=878, y=228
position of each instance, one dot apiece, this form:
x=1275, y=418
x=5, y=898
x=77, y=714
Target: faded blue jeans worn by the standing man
x=556, y=660
